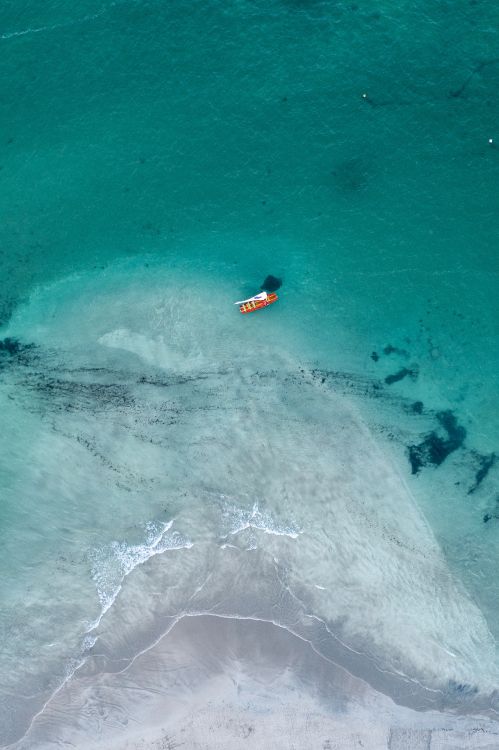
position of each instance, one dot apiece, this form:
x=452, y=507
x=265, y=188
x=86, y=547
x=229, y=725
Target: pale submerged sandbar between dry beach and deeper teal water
x=197, y=479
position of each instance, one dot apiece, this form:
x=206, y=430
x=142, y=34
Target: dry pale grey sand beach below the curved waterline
x=228, y=684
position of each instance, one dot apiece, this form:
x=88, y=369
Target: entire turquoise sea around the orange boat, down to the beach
x=340, y=450
